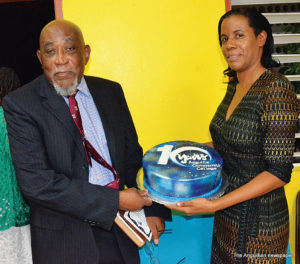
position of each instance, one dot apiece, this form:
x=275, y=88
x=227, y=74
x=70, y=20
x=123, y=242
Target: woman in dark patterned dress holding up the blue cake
x=253, y=130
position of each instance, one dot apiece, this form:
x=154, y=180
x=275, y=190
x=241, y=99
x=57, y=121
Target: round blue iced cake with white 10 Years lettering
x=181, y=170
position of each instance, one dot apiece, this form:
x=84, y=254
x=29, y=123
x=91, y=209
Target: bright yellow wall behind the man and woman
x=166, y=56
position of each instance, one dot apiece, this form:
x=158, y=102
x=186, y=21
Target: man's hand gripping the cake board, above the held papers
x=132, y=199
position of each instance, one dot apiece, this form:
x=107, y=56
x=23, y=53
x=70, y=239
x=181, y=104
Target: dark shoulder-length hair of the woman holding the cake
x=259, y=23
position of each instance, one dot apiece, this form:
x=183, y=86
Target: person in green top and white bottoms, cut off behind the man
x=14, y=228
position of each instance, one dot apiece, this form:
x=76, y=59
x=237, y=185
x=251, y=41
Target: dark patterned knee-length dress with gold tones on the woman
x=258, y=136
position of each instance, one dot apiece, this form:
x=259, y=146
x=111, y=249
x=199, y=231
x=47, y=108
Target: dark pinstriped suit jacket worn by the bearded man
x=52, y=170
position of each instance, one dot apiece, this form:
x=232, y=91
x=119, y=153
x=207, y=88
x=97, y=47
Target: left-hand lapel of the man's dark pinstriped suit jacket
x=58, y=107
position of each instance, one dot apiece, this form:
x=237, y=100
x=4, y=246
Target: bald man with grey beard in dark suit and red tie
x=74, y=148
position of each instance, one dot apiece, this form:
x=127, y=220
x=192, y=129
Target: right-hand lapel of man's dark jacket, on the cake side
x=101, y=103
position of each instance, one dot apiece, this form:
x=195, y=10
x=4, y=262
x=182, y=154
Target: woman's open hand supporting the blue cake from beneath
x=195, y=206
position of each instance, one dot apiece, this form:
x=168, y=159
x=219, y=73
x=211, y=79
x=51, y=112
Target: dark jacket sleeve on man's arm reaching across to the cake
x=41, y=184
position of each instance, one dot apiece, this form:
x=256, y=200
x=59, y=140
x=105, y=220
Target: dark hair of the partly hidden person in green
x=9, y=81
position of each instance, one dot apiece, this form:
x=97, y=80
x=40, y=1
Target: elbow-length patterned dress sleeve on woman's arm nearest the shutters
x=279, y=120
